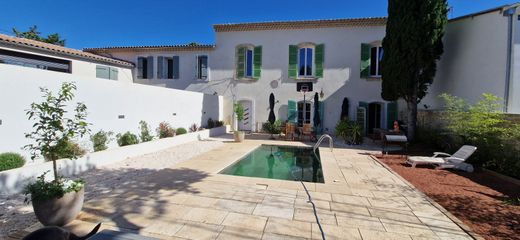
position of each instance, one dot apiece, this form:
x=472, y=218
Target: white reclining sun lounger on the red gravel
x=445, y=160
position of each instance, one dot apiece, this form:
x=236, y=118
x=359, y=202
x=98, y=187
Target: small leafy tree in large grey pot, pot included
x=58, y=201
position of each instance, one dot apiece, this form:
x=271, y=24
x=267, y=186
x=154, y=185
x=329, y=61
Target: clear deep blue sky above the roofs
x=98, y=23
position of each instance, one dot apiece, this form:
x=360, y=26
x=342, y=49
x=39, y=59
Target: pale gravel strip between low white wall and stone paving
x=15, y=215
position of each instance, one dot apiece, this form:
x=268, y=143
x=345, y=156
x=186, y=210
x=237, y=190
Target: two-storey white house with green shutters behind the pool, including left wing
x=334, y=58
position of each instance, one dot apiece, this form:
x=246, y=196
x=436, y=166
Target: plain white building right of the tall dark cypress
x=481, y=55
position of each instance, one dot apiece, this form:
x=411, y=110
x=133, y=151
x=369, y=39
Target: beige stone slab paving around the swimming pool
x=360, y=199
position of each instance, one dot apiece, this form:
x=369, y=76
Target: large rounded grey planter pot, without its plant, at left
x=58, y=212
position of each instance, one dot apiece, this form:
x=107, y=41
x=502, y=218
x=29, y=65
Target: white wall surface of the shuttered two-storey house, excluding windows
x=341, y=77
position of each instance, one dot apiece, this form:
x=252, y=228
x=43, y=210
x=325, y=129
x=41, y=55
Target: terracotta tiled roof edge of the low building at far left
x=22, y=42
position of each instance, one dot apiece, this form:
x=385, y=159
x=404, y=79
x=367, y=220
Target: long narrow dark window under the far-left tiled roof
x=34, y=61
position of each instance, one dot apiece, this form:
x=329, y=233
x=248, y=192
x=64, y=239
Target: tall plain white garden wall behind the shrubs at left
x=112, y=105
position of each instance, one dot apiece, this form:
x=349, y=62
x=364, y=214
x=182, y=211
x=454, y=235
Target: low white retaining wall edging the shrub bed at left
x=13, y=181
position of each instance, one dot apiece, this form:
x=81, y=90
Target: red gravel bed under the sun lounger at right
x=475, y=198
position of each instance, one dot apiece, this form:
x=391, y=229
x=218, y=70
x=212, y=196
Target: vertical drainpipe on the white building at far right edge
x=510, y=13
